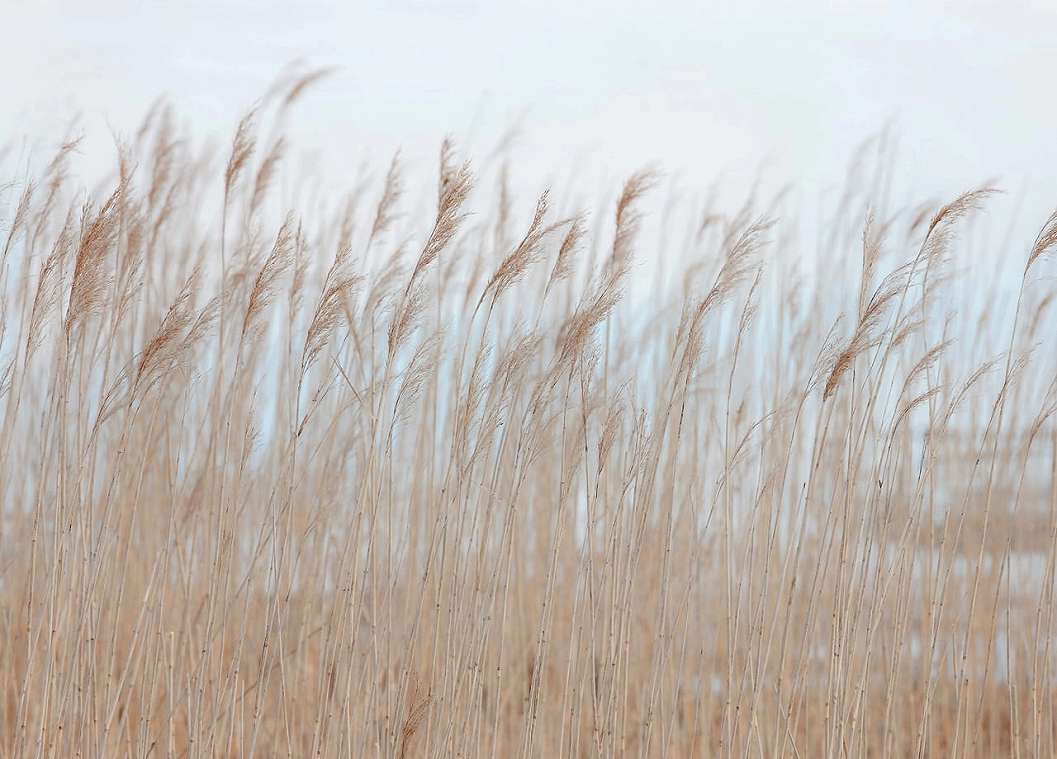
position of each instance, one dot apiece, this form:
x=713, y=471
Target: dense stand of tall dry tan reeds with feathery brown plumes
x=286, y=474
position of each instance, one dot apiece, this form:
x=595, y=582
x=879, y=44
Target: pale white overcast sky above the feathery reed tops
x=699, y=88
